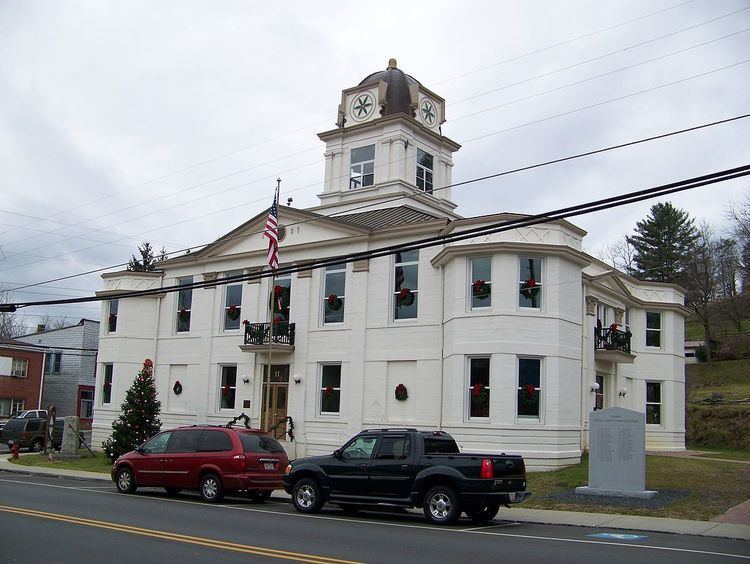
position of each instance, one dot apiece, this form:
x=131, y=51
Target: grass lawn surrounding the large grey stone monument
x=710, y=488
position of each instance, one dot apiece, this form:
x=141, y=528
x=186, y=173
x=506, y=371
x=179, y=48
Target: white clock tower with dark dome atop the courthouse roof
x=388, y=149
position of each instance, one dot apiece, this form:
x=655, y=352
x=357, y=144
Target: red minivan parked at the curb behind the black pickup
x=213, y=460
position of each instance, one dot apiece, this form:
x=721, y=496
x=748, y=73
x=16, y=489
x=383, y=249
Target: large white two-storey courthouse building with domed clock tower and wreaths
x=504, y=340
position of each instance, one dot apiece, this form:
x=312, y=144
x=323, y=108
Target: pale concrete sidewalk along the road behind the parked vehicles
x=599, y=520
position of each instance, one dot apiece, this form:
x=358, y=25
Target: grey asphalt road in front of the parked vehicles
x=61, y=520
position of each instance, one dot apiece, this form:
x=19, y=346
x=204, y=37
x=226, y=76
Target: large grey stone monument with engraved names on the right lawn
x=617, y=454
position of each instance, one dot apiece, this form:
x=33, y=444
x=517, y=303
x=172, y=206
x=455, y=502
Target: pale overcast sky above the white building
x=169, y=121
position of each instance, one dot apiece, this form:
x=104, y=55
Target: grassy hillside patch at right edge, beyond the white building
x=730, y=378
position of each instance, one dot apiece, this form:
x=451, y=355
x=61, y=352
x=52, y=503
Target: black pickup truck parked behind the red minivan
x=408, y=468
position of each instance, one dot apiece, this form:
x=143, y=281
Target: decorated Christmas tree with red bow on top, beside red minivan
x=139, y=417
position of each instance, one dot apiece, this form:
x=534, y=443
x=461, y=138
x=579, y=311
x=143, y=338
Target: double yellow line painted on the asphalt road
x=210, y=543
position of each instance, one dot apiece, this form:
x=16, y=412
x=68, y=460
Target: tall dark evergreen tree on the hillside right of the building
x=662, y=243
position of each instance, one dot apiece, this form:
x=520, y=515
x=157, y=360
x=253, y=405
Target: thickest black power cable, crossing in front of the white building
x=562, y=213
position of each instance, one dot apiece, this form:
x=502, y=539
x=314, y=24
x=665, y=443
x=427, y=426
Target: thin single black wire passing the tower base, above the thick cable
x=454, y=185
